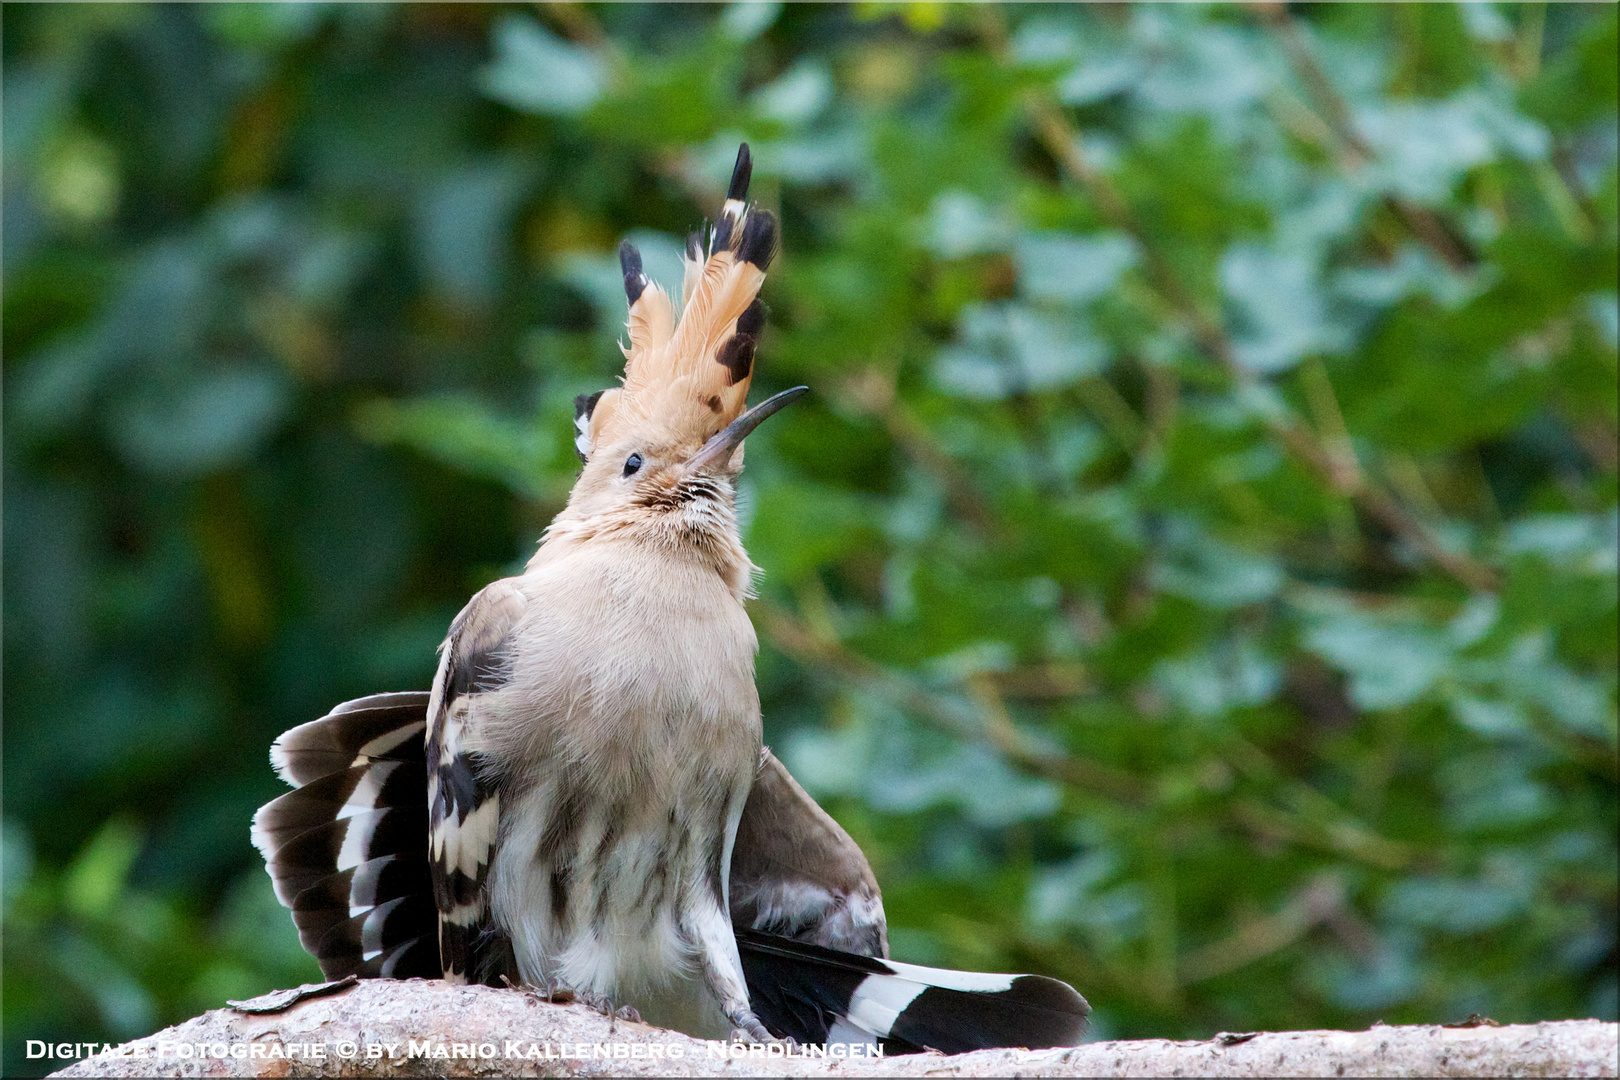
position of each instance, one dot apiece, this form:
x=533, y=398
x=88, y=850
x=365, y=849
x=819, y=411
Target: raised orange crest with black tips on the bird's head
x=689, y=378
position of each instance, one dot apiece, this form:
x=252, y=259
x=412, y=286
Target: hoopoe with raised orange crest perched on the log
x=582, y=804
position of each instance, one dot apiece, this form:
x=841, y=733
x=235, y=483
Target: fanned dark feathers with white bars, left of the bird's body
x=349, y=848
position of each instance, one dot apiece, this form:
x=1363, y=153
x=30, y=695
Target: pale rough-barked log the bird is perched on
x=432, y=1029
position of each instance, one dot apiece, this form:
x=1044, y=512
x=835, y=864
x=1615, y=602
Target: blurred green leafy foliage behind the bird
x=1195, y=576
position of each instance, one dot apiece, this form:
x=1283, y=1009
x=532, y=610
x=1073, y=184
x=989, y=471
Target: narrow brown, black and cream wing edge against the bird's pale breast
x=464, y=806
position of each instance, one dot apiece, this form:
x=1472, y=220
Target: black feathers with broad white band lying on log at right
x=821, y=995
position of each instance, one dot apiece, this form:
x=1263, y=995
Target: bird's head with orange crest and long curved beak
x=663, y=451
